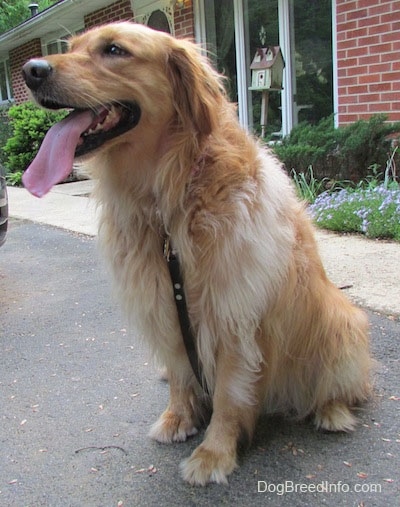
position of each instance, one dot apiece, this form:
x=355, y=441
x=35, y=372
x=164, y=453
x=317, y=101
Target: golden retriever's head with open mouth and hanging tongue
x=118, y=78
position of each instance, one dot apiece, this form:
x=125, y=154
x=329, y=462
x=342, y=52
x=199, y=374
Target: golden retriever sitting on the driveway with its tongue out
x=170, y=160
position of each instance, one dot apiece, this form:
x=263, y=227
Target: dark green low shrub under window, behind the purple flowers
x=345, y=153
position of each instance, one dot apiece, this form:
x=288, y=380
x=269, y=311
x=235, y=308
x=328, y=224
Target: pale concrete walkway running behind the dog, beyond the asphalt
x=369, y=269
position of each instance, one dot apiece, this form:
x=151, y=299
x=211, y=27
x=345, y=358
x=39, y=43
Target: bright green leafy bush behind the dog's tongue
x=29, y=125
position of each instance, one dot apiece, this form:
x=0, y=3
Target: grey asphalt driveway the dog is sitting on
x=78, y=394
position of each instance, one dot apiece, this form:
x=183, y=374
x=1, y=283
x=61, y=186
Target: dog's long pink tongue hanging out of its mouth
x=53, y=163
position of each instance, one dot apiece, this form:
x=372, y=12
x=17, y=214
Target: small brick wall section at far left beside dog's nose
x=18, y=57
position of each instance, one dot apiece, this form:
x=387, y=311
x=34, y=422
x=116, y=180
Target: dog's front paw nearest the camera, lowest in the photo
x=206, y=465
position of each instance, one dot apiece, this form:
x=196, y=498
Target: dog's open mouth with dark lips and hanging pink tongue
x=81, y=132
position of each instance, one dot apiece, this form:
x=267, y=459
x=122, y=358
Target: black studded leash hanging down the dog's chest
x=184, y=322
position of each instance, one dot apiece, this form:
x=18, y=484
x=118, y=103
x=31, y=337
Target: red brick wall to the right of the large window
x=368, y=46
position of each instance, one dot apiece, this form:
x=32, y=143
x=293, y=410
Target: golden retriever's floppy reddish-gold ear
x=197, y=89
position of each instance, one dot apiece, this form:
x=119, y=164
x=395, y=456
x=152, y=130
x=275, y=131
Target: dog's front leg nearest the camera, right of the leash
x=232, y=418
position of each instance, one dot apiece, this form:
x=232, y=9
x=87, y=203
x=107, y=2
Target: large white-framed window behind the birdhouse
x=232, y=30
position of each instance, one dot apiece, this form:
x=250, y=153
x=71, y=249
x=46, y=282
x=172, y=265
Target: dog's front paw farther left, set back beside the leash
x=172, y=427
